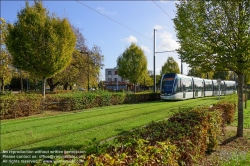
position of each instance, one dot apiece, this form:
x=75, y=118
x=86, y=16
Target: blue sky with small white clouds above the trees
x=114, y=25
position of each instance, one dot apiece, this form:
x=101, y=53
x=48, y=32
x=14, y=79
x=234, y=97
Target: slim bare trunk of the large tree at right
x=240, y=105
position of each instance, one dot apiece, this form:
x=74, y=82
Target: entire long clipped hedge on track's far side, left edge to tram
x=19, y=105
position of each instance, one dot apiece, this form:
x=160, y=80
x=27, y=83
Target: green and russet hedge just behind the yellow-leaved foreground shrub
x=193, y=131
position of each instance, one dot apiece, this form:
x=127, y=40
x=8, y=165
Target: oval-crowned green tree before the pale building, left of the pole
x=132, y=64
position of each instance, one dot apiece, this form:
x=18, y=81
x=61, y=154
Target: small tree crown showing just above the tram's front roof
x=170, y=66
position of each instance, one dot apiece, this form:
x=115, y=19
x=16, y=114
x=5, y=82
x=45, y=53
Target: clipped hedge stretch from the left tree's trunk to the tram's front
x=79, y=100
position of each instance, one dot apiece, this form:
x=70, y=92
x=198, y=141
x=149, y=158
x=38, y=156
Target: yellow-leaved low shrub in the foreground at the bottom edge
x=162, y=153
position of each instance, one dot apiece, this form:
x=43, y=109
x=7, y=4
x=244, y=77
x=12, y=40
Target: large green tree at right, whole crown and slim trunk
x=214, y=35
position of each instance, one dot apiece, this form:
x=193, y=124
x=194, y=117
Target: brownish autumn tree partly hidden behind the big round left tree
x=85, y=62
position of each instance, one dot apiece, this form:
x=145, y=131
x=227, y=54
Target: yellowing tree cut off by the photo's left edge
x=5, y=58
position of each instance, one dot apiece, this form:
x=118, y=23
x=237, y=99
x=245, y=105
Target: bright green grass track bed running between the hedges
x=74, y=130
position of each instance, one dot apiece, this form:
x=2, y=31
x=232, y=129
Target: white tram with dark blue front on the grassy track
x=180, y=87
